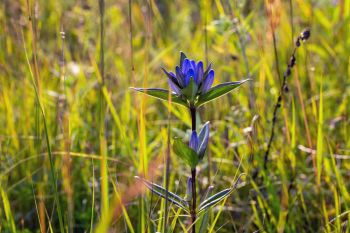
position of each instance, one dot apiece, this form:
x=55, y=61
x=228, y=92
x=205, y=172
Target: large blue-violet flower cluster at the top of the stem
x=190, y=79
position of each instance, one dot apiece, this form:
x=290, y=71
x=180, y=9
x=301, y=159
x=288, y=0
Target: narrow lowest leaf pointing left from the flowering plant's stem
x=160, y=191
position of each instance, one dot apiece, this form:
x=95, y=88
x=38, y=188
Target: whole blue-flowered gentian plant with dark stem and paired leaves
x=191, y=86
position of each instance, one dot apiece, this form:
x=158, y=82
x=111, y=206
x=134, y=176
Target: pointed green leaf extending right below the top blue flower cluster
x=218, y=91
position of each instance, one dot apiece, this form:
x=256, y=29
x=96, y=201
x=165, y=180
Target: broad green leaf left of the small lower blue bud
x=188, y=155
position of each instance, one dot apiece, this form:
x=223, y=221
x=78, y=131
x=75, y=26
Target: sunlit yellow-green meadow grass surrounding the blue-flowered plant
x=73, y=135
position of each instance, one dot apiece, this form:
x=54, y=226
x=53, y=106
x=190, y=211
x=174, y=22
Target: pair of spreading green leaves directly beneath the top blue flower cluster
x=213, y=93
